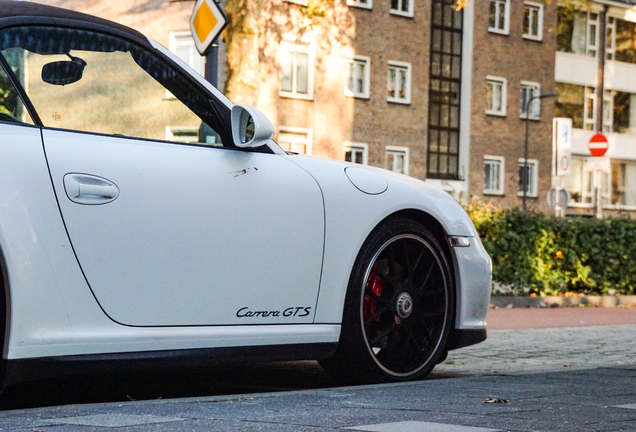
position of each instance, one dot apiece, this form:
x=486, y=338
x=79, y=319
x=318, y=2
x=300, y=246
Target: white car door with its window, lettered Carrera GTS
x=168, y=233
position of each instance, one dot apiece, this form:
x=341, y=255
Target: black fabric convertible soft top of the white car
x=14, y=13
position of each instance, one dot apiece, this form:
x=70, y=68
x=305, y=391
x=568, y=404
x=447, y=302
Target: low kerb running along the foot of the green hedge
x=560, y=301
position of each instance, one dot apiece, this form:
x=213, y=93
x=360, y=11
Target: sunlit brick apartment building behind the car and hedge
x=420, y=88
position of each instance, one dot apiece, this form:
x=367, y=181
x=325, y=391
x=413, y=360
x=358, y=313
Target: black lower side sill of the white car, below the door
x=24, y=370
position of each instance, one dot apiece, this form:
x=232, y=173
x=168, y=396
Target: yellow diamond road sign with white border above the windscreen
x=207, y=21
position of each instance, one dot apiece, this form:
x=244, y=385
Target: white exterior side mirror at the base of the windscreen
x=250, y=127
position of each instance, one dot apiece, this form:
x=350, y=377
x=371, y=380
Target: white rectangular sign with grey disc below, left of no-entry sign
x=561, y=158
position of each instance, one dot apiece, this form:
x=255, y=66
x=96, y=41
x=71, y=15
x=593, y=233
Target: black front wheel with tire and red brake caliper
x=398, y=310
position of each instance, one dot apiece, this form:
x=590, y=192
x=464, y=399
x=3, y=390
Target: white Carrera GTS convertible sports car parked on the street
x=144, y=219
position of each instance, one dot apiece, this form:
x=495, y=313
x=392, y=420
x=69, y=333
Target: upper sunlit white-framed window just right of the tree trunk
x=296, y=70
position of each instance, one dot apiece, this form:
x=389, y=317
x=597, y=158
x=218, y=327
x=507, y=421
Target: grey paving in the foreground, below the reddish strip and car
x=566, y=379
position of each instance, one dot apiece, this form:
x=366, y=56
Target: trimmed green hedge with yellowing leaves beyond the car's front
x=538, y=253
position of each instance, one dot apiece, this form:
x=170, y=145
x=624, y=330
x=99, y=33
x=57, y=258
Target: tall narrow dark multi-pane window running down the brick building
x=444, y=92
